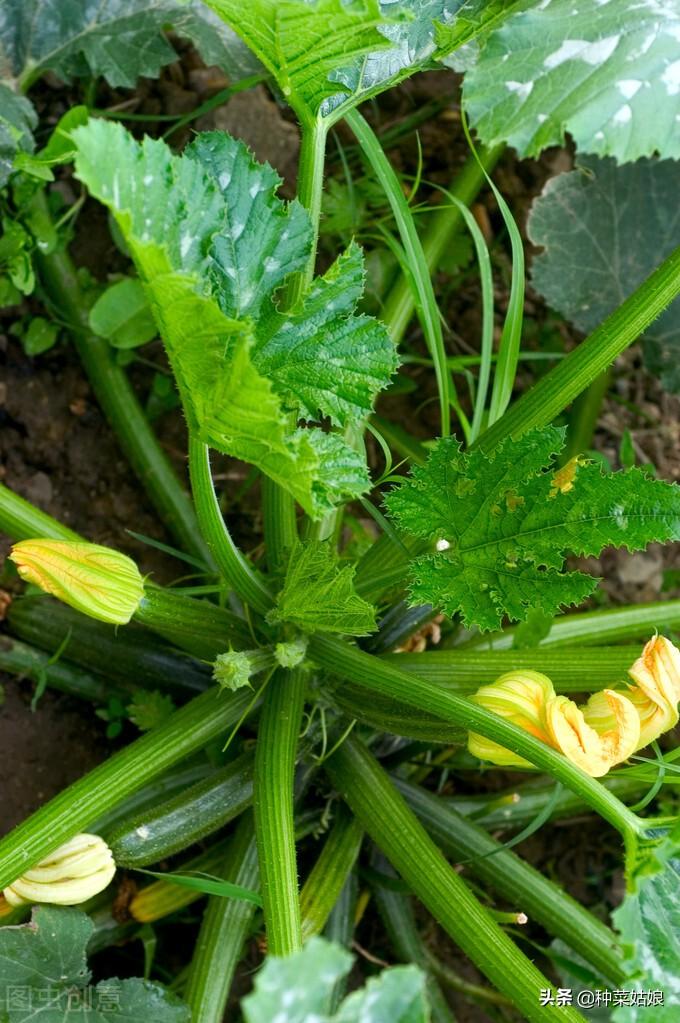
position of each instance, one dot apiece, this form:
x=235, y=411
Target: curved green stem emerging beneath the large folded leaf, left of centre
x=240, y=574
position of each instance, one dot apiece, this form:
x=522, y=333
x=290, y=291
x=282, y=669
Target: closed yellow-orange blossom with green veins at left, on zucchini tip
x=98, y=582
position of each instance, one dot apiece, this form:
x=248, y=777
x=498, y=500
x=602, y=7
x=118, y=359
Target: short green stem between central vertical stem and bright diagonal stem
x=328, y=877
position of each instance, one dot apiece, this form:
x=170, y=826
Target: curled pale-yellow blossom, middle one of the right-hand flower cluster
x=604, y=734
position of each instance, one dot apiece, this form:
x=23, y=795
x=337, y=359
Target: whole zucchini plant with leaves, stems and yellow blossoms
x=295, y=719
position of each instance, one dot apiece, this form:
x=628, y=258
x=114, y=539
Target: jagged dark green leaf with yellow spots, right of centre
x=505, y=524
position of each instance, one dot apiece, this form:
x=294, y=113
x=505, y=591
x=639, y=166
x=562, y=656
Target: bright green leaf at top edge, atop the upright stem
x=330, y=56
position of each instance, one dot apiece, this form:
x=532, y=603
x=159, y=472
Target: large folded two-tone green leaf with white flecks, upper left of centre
x=213, y=244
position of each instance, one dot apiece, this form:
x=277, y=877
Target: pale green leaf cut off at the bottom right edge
x=649, y=921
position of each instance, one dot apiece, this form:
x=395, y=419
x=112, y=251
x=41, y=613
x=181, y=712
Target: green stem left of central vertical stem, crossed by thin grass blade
x=224, y=930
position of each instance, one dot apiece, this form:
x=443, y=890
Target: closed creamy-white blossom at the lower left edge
x=73, y=874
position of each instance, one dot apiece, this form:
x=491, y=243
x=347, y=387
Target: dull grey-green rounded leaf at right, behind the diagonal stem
x=604, y=230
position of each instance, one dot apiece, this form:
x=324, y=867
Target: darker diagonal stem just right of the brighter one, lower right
x=521, y=884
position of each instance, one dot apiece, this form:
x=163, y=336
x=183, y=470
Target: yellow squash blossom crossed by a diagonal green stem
x=520, y=697
